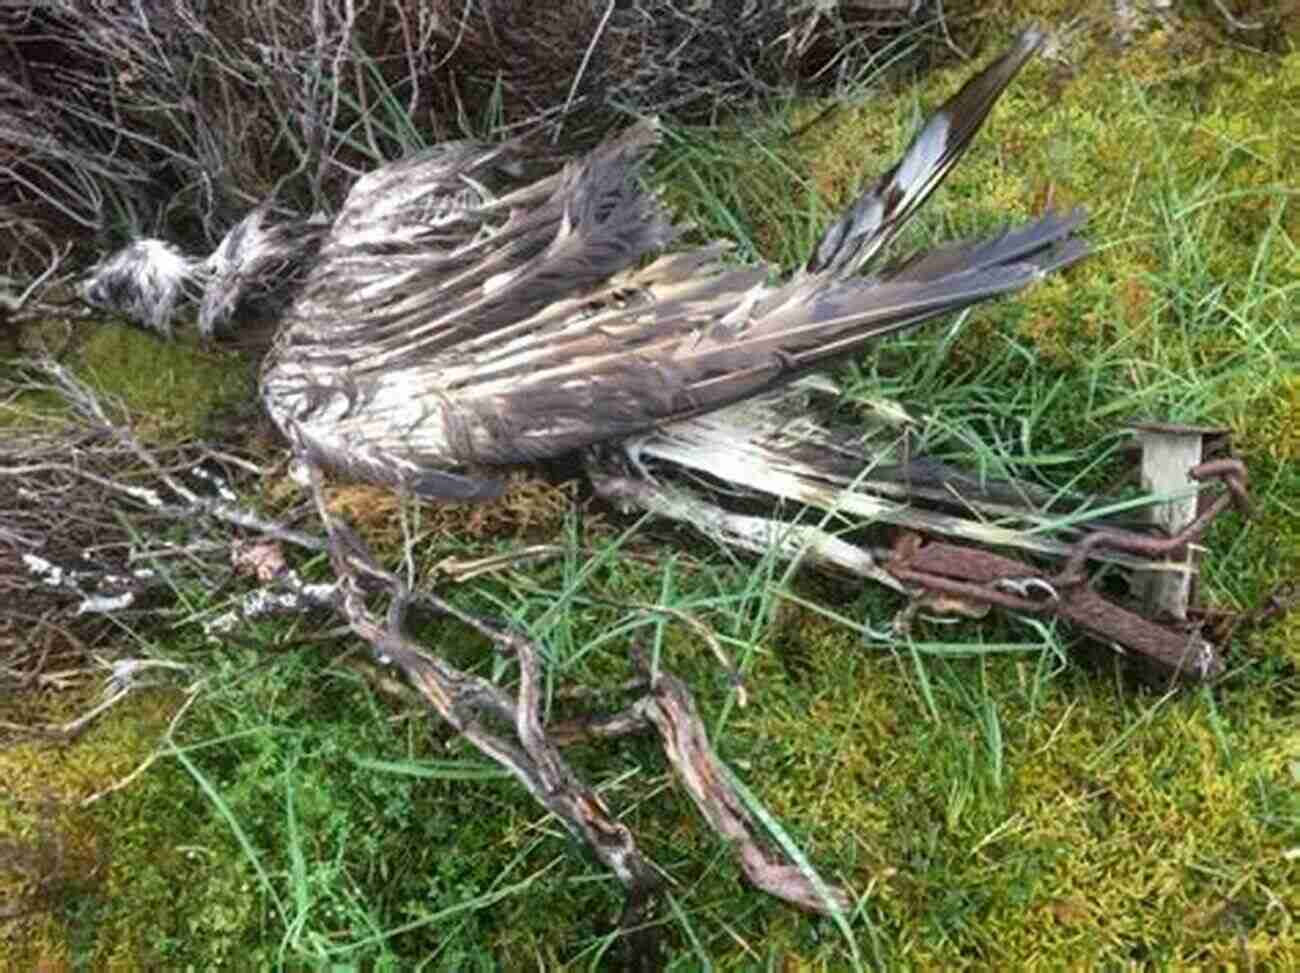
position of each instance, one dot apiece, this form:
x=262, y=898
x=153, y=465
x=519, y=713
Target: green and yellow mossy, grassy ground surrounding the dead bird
x=998, y=795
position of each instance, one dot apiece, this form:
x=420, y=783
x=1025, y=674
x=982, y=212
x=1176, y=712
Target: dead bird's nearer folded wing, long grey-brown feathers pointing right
x=679, y=338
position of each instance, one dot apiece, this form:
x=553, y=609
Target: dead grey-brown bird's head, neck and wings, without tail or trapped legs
x=460, y=317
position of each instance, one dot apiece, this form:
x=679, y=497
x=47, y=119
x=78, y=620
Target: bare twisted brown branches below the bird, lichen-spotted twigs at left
x=89, y=501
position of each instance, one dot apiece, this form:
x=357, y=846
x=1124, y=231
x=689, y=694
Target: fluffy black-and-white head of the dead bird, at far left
x=145, y=283
